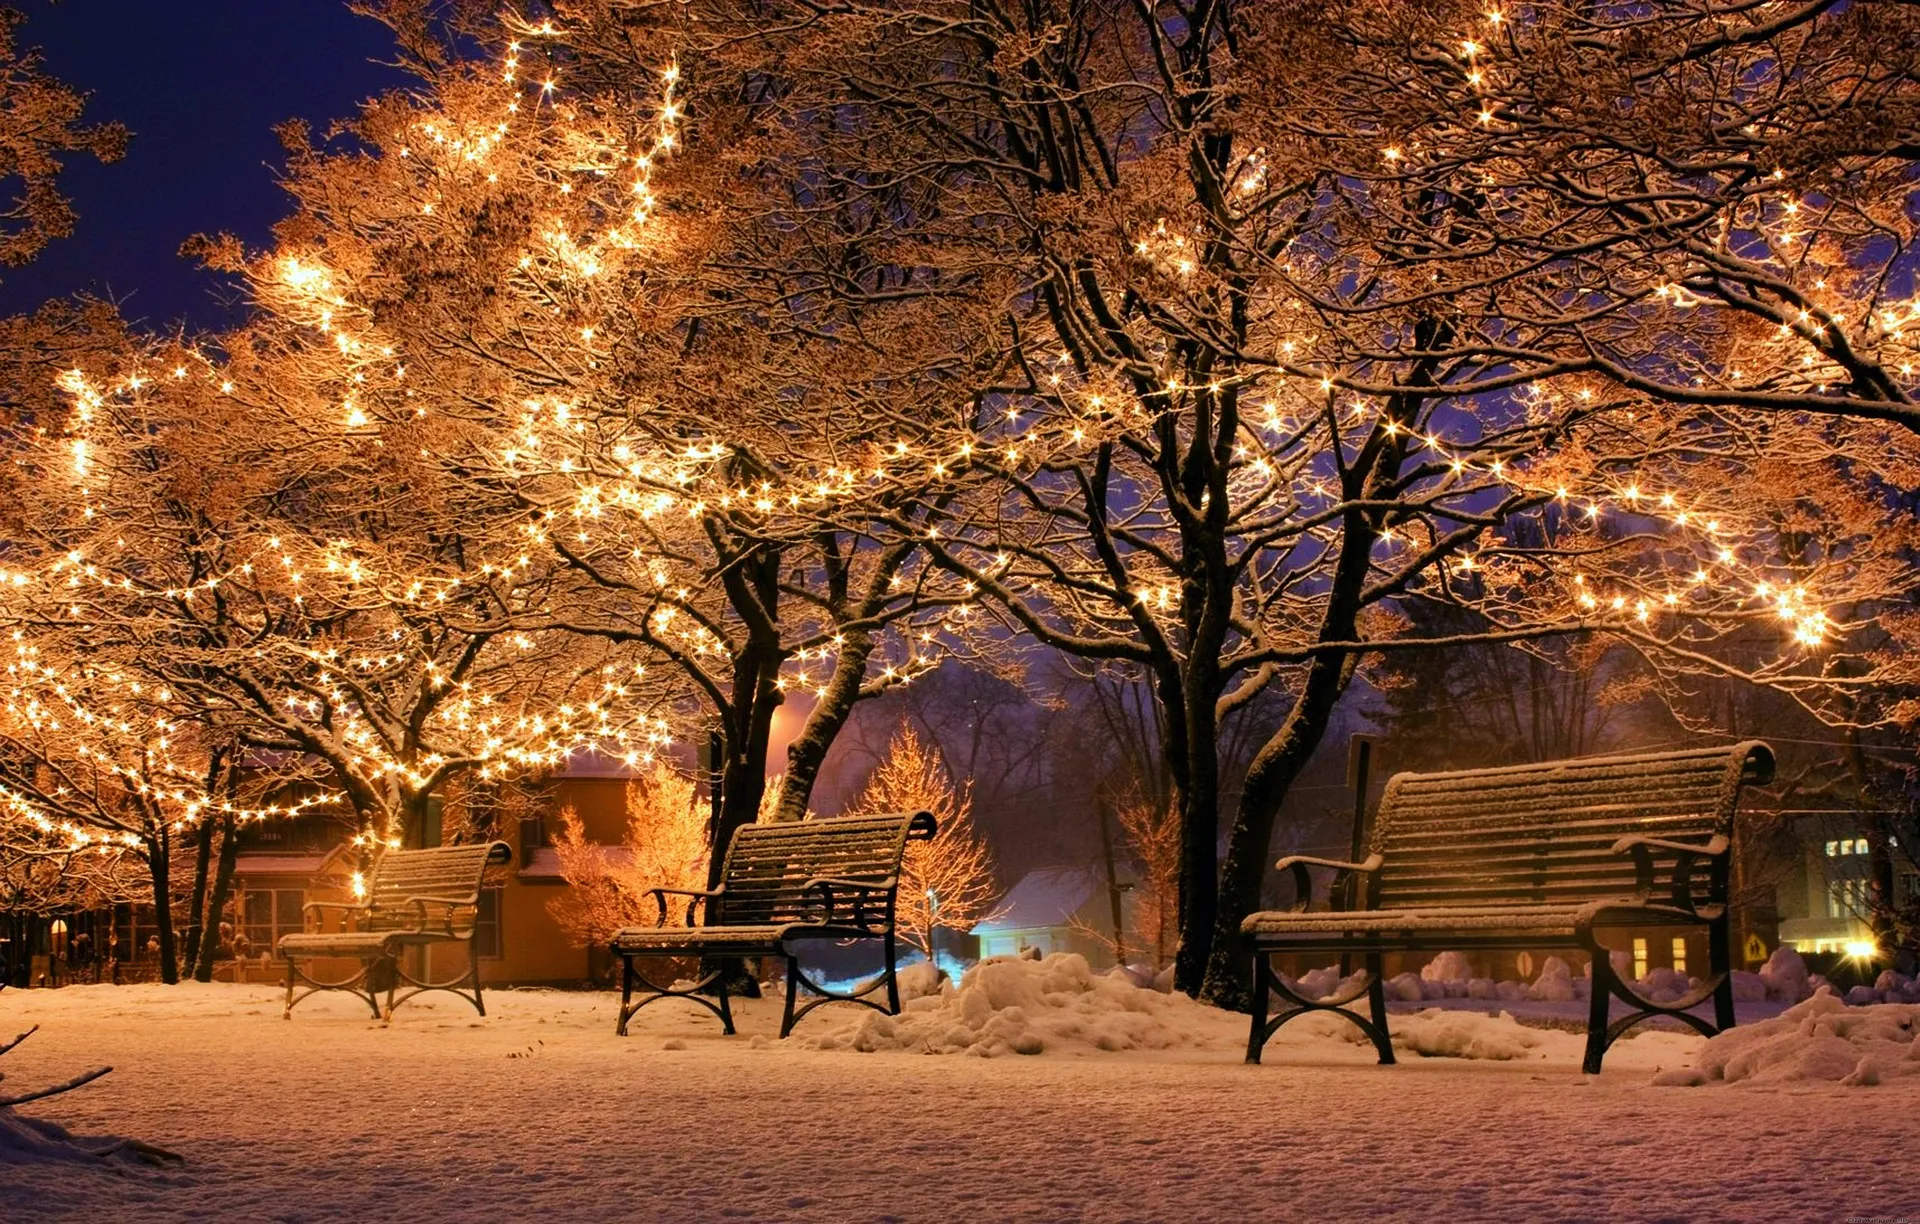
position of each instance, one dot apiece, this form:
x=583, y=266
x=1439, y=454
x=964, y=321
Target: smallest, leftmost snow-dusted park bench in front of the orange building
x=416, y=899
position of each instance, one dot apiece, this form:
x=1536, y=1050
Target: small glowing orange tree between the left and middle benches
x=665, y=847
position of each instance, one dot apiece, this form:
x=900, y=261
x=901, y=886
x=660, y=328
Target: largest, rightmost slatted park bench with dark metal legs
x=1525, y=859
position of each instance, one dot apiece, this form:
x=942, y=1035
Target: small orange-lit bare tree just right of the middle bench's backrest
x=946, y=882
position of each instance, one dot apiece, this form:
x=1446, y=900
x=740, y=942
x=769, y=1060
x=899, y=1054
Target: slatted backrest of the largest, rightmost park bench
x=1545, y=834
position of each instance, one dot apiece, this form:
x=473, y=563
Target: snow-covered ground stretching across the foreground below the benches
x=1136, y=1108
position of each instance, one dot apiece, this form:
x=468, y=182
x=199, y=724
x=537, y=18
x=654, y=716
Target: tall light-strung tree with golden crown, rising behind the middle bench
x=544, y=291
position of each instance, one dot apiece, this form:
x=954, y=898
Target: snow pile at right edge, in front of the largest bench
x=1821, y=1041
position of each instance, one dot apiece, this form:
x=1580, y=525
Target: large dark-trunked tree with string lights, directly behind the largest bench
x=1270, y=371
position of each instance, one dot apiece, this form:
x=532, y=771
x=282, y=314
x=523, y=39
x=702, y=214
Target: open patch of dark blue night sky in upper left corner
x=201, y=83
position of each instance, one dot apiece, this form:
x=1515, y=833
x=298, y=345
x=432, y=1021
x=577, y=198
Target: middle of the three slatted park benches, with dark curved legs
x=782, y=885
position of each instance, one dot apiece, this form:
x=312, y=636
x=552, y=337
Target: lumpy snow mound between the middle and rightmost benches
x=1051, y=1006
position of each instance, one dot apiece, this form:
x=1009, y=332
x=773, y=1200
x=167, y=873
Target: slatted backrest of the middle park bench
x=769, y=866
